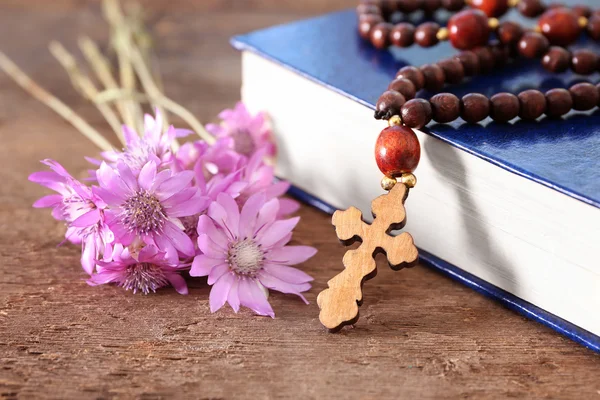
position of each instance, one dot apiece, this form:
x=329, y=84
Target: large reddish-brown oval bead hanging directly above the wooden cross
x=397, y=151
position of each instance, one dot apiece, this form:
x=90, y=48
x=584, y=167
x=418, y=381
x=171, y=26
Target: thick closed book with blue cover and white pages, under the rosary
x=511, y=210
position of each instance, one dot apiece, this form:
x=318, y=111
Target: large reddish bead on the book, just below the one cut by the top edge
x=468, y=29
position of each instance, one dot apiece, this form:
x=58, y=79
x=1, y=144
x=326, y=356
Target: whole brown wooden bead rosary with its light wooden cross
x=397, y=149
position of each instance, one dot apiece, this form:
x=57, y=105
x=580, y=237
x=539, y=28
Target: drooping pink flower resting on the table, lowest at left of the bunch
x=149, y=271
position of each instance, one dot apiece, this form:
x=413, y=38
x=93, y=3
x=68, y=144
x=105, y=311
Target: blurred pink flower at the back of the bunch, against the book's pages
x=249, y=132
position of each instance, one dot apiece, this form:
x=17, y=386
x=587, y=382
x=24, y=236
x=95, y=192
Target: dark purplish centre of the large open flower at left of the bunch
x=143, y=213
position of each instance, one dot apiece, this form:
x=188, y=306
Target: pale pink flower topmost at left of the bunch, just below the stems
x=152, y=145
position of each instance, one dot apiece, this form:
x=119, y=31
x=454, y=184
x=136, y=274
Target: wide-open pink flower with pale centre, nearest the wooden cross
x=245, y=254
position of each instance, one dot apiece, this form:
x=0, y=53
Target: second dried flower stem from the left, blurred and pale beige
x=84, y=85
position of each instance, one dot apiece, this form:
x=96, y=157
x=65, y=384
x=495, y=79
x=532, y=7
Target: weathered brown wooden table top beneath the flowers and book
x=420, y=335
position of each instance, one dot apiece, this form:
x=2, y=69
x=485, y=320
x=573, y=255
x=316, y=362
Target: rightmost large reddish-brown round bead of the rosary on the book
x=560, y=26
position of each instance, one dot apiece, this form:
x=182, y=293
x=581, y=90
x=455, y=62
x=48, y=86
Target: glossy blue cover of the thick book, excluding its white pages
x=563, y=155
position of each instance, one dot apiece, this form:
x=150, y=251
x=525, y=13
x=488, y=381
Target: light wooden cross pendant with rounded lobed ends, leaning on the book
x=339, y=304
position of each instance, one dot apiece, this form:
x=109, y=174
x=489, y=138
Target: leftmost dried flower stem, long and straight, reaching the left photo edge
x=11, y=69
